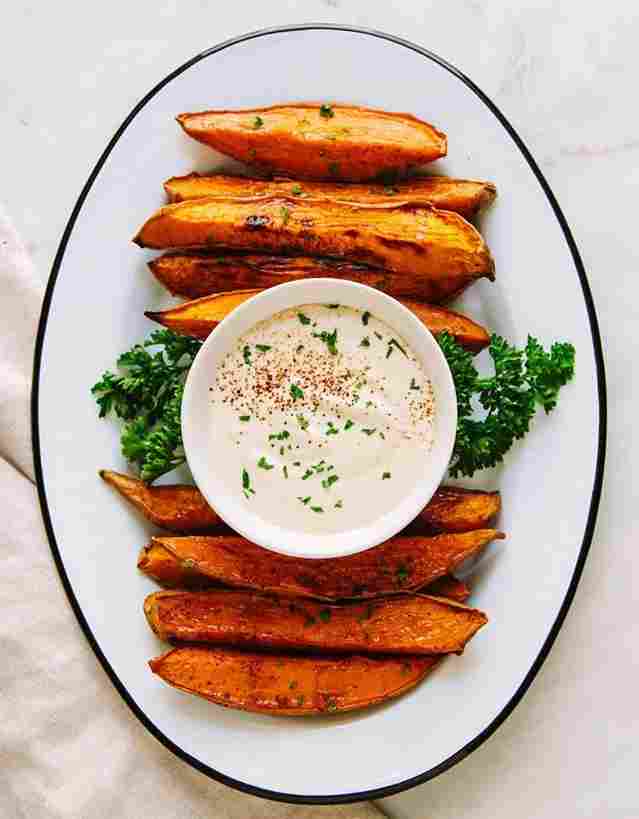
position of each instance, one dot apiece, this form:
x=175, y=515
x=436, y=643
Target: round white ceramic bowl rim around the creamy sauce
x=196, y=418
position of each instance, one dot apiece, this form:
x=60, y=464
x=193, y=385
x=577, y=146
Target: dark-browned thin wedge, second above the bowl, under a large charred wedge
x=193, y=275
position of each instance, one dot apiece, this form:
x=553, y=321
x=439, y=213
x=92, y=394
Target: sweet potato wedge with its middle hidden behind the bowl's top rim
x=200, y=317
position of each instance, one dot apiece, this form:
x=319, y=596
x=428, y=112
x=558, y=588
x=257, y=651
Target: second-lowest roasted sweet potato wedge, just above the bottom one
x=416, y=624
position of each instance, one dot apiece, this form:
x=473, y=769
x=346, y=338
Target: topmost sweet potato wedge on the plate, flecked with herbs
x=315, y=141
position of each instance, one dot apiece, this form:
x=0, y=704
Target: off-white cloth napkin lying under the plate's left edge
x=69, y=747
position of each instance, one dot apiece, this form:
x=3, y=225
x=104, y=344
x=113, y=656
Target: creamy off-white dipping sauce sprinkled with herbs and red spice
x=322, y=417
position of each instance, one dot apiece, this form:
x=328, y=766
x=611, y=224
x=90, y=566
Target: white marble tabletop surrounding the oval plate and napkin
x=566, y=76
